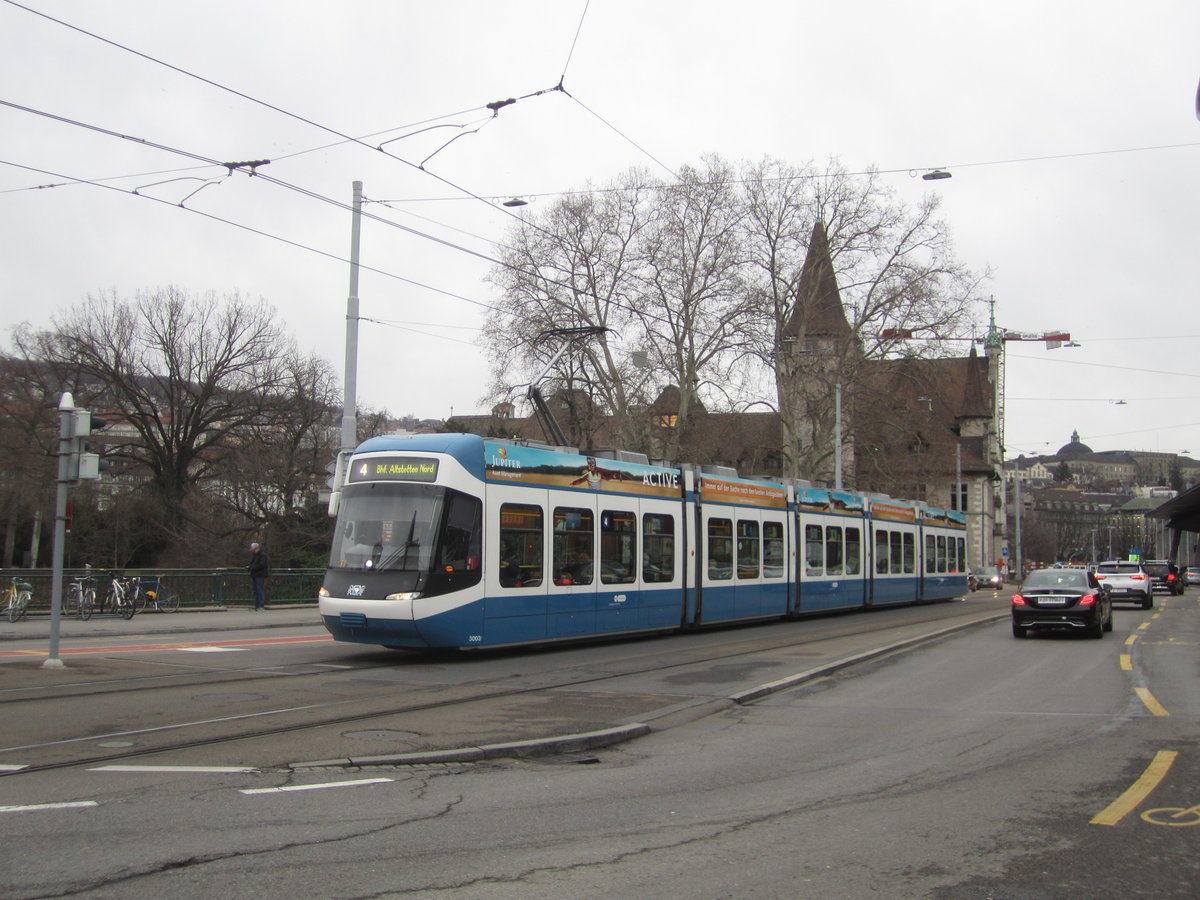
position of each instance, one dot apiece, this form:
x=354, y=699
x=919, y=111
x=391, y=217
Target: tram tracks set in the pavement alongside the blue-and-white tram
x=151, y=739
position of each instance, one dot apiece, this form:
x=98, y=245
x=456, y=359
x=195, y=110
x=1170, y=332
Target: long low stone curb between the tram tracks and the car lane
x=663, y=719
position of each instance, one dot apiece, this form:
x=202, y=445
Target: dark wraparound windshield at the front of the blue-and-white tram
x=406, y=529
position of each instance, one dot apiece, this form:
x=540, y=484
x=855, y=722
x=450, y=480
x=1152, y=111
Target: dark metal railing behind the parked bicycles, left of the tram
x=196, y=590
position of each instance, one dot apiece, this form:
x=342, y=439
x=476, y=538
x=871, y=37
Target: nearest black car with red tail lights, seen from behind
x=1063, y=601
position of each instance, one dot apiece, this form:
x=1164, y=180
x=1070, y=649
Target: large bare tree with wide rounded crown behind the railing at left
x=189, y=381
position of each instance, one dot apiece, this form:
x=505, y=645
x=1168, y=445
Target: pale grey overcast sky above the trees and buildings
x=1070, y=129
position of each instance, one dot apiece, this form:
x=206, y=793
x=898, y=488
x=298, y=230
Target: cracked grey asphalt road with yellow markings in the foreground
x=971, y=766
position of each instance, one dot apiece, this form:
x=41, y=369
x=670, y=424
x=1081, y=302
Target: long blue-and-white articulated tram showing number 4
x=463, y=542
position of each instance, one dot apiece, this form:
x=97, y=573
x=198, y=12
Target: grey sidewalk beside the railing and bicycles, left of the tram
x=37, y=627
